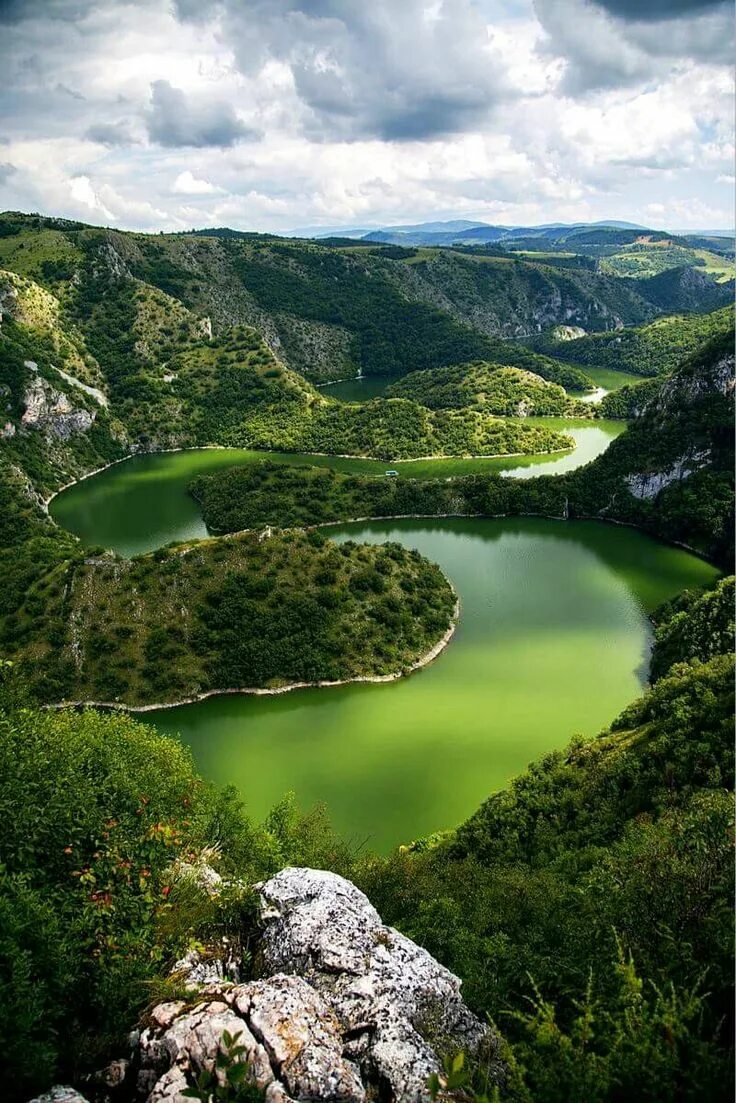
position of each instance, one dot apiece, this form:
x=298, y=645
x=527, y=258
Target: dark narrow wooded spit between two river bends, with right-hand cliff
x=670, y=474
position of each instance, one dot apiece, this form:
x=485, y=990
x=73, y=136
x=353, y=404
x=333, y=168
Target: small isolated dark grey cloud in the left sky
x=176, y=120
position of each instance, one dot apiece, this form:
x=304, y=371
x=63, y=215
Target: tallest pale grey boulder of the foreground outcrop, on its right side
x=399, y=1006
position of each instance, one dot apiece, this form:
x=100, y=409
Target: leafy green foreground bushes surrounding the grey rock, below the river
x=588, y=907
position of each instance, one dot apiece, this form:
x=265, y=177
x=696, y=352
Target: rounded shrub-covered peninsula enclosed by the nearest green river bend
x=249, y=612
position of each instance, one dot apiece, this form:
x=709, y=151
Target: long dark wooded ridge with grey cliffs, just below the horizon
x=327, y=310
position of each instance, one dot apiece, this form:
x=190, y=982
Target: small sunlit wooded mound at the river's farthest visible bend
x=494, y=389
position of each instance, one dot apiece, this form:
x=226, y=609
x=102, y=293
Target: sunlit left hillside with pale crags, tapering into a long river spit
x=115, y=366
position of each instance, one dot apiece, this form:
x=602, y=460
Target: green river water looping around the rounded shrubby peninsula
x=553, y=640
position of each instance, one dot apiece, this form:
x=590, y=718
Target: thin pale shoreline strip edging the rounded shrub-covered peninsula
x=419, y=665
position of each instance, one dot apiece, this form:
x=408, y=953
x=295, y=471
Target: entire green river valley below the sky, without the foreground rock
x=547, y=524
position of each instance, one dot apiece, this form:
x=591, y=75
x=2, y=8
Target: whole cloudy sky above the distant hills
x=275, y=115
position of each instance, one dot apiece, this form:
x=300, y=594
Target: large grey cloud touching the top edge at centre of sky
x=397, y=72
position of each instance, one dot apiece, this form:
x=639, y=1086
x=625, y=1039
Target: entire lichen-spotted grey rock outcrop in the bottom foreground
x=348, y=1010
